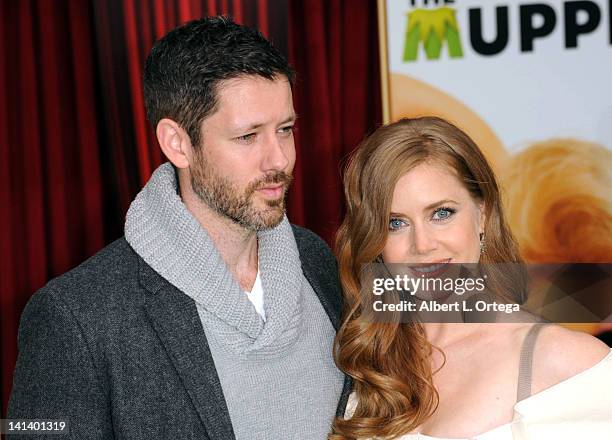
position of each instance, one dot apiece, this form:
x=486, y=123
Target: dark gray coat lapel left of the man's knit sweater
x=175, y=319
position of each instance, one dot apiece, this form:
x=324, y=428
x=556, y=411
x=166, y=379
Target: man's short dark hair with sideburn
x=184, y=68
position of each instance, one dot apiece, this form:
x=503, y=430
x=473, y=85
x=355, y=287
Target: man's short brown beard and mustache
x=223, y=197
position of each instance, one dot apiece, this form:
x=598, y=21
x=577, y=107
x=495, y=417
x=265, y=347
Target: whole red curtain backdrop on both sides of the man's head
x=75, y=147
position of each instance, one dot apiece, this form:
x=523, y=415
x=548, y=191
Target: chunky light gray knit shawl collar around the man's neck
x=168, y=238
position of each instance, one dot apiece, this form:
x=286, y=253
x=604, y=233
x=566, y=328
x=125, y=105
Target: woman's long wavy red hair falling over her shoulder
x=390, y=362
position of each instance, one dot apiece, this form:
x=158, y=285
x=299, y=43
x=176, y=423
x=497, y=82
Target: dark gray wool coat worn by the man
x=121, y=353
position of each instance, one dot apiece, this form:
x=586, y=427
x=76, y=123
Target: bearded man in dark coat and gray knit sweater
x=213, y=318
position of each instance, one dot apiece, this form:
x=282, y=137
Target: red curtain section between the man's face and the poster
x=333, y=46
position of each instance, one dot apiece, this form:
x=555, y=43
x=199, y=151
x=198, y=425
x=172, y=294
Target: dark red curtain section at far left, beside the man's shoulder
x=50, y=187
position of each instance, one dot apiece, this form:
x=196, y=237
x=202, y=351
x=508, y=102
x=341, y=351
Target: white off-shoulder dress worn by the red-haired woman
x=578, y=408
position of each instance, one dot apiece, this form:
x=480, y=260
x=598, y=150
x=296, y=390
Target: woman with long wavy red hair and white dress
x=420, y=191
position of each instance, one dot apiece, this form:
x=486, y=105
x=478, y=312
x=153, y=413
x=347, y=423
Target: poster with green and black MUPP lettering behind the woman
x=531, y=83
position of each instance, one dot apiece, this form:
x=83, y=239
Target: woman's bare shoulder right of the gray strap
x=561, y=354
